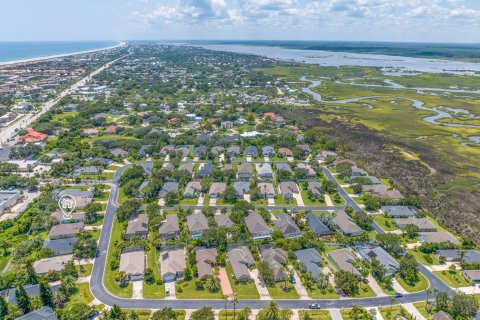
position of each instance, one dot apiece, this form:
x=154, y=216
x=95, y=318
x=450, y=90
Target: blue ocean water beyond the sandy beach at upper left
x=12, y=51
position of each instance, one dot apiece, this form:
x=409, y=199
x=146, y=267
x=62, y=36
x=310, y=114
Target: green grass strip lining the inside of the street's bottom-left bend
x=109, y=277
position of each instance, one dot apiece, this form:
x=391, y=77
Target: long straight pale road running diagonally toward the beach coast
x=8, y=132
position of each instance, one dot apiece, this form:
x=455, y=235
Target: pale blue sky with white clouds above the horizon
x=376, y=20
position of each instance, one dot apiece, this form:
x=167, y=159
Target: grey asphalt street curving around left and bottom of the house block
x=100, y=293
